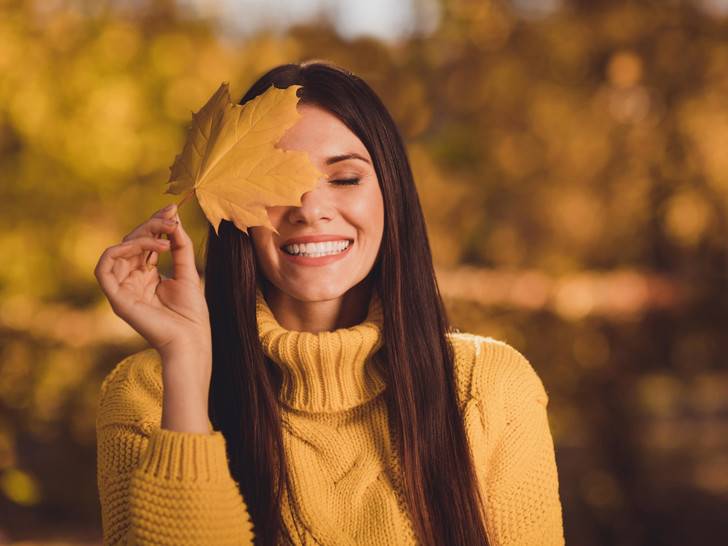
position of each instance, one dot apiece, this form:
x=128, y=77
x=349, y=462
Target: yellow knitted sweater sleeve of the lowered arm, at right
x=522, y=488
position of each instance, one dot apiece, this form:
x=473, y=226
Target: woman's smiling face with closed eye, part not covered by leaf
x=334, y=211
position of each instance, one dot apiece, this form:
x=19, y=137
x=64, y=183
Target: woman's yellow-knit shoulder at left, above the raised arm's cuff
x=131, y=393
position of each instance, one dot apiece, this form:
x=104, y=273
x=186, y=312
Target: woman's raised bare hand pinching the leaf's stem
x=170, y=313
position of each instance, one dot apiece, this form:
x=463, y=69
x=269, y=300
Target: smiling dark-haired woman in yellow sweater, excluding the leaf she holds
x=315, y=393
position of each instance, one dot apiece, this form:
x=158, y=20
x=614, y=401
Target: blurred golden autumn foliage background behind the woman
x=572, y=160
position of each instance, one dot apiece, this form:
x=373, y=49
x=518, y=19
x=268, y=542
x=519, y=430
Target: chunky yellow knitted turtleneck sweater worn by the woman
x=158, y=486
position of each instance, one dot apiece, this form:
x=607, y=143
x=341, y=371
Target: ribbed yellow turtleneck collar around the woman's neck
x=324, y=372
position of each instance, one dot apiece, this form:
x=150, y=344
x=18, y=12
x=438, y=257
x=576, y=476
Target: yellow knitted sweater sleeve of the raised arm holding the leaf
x=158, y=486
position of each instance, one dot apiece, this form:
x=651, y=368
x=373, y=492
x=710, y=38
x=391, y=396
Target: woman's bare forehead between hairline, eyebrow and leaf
x=321, y=133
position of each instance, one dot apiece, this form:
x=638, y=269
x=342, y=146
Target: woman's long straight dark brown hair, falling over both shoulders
x=426, y=425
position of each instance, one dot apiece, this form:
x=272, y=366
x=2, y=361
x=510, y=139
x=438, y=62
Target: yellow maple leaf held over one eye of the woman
x=230, y=163
